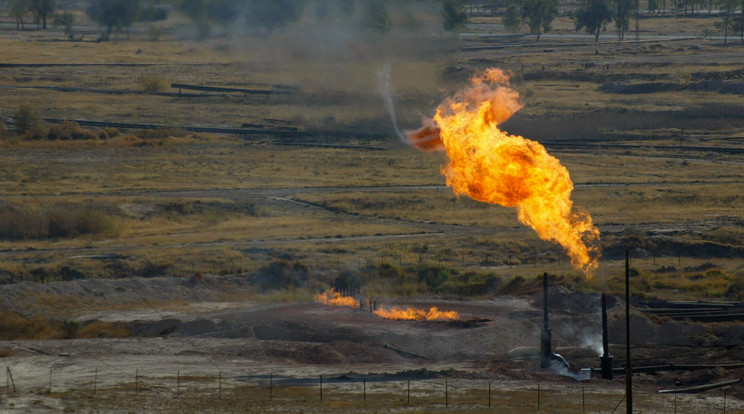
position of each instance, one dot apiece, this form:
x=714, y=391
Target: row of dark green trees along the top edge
x=592, y=16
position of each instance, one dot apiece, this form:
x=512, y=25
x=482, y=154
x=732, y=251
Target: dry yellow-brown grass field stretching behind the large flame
x=318, y=186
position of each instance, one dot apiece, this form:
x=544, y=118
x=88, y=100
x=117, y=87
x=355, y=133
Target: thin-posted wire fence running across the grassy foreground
x=199, y=390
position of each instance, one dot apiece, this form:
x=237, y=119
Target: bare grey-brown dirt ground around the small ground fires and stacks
x=233, y=347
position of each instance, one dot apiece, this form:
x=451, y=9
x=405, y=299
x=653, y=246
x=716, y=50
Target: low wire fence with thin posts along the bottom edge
x=518, y=396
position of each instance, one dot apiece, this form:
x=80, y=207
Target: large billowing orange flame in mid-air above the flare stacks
x=489, y=165
